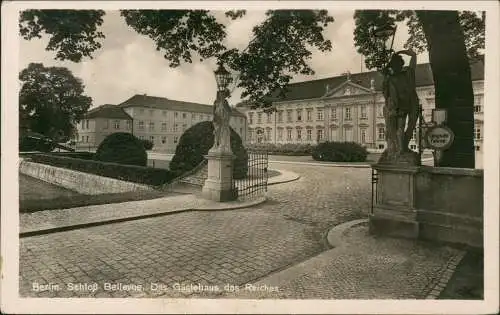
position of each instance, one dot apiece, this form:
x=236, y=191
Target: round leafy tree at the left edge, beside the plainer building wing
x=51, y=100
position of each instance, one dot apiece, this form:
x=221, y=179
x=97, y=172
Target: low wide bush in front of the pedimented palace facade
x=340, y=152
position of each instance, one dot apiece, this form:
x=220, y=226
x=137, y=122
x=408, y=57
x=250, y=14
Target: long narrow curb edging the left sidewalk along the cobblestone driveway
x=212, y=207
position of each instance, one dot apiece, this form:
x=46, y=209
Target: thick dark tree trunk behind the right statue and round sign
x=452, y=82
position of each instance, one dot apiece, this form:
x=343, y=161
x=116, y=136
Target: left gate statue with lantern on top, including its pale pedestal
x=219, y=184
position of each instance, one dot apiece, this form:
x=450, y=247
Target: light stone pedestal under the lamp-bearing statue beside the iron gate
x=219, y=184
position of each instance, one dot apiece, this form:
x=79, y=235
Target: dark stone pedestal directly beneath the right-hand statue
x=394, y=211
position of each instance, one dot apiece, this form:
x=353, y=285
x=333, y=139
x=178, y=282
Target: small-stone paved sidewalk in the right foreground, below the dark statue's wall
x=361, y=266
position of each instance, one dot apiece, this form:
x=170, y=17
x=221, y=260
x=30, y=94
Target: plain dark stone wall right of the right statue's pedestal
x=450, y=205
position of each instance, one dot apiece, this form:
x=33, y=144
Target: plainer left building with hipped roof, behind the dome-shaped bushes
x=157, y=119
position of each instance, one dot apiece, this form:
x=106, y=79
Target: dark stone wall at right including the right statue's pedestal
x=431, y=203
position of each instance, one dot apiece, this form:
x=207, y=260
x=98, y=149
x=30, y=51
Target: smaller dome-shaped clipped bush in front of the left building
x=122, y=148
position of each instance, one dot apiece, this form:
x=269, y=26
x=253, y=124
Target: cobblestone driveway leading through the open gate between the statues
x=208, y=248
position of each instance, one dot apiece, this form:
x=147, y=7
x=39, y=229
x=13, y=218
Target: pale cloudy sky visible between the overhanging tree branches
x=128, y=63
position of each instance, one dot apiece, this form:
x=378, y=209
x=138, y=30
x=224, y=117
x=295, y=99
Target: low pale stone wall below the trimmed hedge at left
x=80, y=182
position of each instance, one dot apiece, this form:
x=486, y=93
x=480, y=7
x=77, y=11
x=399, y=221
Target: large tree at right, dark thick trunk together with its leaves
x=453, y=39
